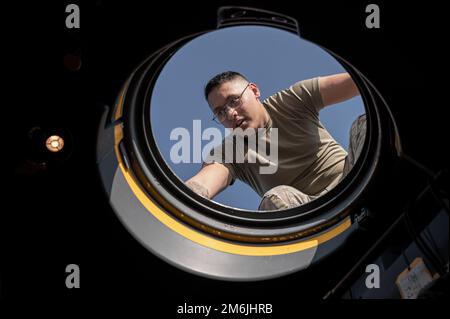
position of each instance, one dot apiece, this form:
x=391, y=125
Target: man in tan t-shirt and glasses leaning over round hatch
x=309, y=161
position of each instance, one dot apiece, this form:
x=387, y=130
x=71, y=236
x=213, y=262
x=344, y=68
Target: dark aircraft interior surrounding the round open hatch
x=90, y=187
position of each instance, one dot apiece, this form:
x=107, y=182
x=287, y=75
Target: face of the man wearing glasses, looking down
x=249, y=114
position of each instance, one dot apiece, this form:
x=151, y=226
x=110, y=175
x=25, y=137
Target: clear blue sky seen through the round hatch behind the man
x=271, y=58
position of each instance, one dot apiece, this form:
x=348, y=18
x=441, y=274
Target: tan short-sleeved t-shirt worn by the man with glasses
x=309, y=159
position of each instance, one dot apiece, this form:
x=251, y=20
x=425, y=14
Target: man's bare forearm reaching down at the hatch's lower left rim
x=210, y=180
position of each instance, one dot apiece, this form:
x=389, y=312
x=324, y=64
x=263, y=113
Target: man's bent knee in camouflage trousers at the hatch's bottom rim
x=283, y=197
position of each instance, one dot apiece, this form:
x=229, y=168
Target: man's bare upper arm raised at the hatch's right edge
x=337, y=88
